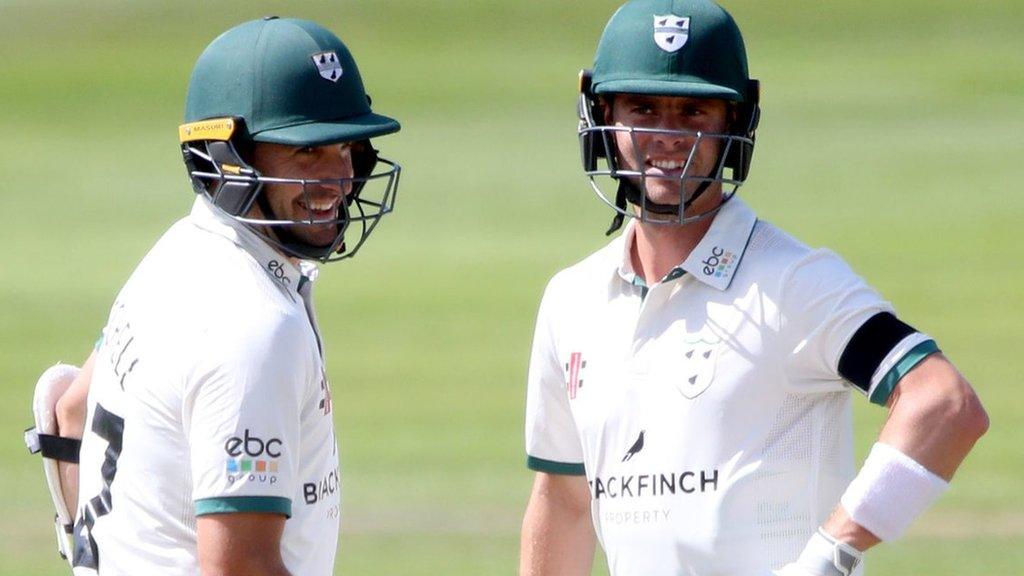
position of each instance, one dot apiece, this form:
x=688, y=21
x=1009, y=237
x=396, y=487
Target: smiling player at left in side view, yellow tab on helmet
x=208, y=442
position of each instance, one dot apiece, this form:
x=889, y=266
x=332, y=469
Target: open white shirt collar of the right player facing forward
x=715, y=260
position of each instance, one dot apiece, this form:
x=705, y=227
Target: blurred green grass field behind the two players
x=893, y=133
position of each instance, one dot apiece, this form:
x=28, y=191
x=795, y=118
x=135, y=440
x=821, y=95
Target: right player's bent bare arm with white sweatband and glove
x=934, y=421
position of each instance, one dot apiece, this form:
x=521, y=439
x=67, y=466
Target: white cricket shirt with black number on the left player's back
x=209, y=396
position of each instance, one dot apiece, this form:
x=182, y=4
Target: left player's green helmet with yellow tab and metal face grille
x=290, y=83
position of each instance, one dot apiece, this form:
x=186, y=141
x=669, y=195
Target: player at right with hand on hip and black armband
x=690, y=391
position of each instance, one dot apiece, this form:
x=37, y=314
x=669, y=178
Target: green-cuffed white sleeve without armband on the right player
x=552, y=440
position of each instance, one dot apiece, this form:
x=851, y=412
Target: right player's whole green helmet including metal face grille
x=689, y=49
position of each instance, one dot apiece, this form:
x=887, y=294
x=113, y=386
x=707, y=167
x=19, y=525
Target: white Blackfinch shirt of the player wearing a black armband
x=707, y=412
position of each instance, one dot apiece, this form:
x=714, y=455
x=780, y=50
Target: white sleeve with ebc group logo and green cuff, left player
x=243, y=422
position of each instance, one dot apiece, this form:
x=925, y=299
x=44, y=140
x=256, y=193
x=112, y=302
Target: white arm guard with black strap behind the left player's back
x=44, y=439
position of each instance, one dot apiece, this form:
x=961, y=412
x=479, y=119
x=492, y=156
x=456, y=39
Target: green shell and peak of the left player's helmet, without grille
x=292, y=81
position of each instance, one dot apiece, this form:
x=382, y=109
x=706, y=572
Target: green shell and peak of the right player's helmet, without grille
x=672, y=48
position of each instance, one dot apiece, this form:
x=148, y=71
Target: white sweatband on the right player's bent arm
x=891, y=490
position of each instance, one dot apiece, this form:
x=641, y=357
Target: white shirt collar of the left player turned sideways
x=205, y=217
